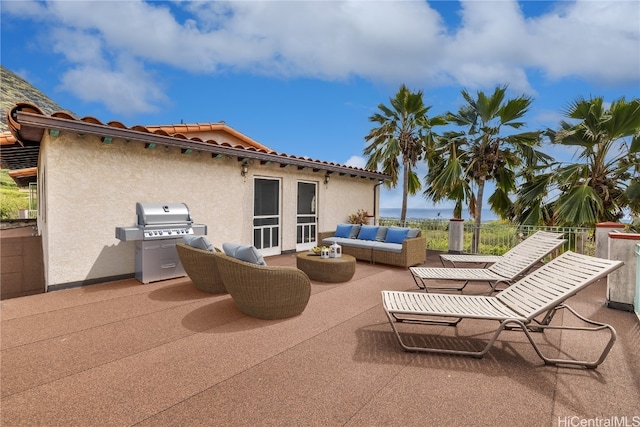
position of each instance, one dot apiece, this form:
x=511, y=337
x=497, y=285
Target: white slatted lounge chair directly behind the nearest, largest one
x=505, y=271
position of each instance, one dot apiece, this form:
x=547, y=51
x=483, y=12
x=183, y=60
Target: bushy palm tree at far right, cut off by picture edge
x=604, y=180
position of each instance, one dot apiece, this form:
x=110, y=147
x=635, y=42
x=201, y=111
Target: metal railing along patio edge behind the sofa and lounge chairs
x=495, y=238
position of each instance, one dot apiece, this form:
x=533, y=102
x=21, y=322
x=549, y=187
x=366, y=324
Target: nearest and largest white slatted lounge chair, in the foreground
x=537, y=295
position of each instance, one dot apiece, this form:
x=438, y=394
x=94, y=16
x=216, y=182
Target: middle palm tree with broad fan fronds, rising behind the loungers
x=463, y=162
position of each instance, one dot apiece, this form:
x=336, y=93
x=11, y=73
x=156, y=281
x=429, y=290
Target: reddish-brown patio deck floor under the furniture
x=166, y=354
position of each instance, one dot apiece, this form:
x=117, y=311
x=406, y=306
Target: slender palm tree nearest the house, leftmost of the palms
x=400, y=140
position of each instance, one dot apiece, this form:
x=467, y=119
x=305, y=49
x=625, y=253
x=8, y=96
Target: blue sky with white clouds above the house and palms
x=303, y=77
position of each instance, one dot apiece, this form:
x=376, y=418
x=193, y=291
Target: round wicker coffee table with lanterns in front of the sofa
x=332, y=270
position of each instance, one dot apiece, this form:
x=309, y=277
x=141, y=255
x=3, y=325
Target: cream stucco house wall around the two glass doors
x=88, y=188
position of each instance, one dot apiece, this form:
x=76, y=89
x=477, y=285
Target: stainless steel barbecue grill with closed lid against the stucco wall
x=159, y=227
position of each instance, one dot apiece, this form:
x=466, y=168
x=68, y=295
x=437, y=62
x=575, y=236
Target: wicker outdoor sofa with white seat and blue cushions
x=399, y=246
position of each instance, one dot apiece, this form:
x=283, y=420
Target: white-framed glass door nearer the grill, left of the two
x=266, y=216
